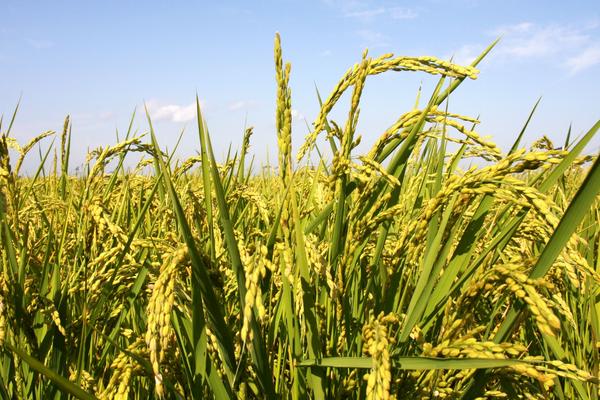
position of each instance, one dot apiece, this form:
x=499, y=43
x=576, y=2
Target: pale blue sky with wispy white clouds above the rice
x=98, y=61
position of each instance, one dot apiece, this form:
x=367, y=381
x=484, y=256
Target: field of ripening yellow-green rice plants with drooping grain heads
x=393, y=274
